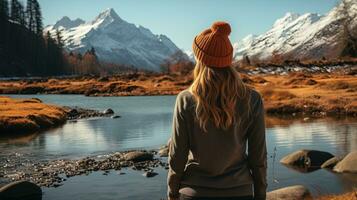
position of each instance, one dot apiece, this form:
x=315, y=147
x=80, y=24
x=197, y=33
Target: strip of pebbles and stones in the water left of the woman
x=53, y=173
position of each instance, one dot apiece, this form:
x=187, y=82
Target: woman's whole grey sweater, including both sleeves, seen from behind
x=231, y=161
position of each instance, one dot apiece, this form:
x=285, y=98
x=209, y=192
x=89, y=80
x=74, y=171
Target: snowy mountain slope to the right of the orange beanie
x=305, y=36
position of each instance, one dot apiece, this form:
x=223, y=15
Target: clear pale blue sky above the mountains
x=181, y=20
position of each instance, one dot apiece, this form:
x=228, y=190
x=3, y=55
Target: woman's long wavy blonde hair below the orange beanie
x=217, y=91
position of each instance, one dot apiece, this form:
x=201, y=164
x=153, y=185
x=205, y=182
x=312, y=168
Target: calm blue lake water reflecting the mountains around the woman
x=146, y=124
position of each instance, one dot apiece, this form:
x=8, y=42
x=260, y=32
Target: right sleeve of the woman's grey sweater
x=257, y=153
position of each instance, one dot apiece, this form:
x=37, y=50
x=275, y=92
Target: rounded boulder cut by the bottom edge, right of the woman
x=296, y=192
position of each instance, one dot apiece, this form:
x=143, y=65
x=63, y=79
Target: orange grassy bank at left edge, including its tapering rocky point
x=22, y=116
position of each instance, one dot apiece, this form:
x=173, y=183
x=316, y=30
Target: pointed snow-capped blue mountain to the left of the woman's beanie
x=115, y=40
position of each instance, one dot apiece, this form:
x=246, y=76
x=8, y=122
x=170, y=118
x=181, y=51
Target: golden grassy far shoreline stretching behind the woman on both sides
x=295, y=93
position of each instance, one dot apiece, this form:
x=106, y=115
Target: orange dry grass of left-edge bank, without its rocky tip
x=28, y=115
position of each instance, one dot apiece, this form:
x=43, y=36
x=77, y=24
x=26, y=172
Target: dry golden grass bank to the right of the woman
x=327, y=94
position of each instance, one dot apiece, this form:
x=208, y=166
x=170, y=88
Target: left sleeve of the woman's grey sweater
x=178, y=148
